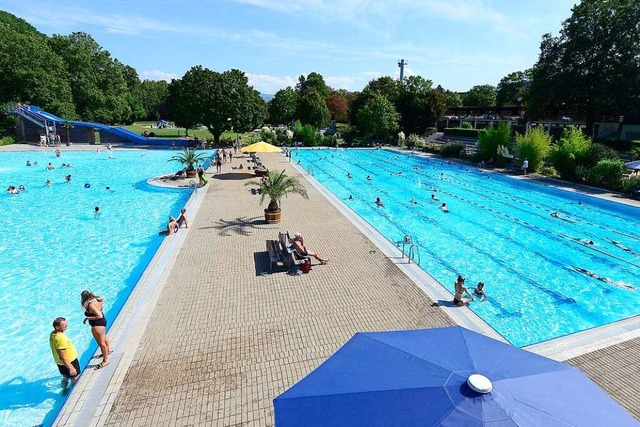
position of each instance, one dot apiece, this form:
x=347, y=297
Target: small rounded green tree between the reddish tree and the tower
x=378, y=117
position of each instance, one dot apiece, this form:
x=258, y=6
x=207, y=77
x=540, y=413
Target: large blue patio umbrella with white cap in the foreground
x=422, y=378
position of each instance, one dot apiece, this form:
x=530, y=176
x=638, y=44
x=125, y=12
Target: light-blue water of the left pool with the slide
x=53, y=247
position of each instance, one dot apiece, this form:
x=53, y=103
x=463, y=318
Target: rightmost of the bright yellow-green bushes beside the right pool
x=571, y=151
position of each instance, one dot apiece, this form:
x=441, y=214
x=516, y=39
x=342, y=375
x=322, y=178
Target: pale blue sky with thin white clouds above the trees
x=454, y=43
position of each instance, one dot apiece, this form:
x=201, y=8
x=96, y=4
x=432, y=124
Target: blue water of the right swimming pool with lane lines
x=499, y=231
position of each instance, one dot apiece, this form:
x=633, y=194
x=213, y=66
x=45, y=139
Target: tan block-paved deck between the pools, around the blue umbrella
x=223, y=336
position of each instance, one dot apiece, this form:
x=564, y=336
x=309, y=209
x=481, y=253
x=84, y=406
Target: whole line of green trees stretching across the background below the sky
x=591, y=69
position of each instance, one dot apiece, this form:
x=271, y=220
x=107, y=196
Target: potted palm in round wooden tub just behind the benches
x=274, y=186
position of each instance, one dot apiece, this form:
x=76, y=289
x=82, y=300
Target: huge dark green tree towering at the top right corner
x=593, y=67
